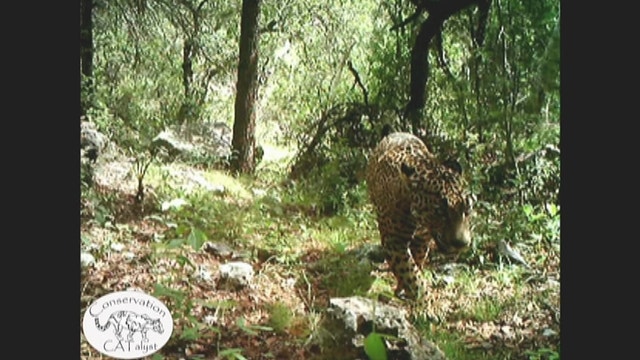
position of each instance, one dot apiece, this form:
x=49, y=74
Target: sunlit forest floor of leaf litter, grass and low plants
x=486, y=307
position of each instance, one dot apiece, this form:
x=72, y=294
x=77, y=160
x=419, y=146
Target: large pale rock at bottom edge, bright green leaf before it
x=352, y=319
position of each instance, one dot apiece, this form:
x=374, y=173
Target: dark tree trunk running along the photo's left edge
x=86, y=54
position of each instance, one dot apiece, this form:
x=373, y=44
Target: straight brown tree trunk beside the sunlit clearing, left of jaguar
x=243, y=158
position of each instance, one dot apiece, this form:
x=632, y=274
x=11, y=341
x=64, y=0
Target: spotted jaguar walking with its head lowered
x=421, y=203
